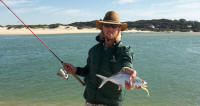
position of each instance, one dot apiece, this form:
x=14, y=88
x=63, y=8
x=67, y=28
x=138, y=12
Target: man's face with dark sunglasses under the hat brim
x=111, y=31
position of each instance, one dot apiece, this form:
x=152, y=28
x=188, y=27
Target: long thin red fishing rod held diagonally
x=40, y=40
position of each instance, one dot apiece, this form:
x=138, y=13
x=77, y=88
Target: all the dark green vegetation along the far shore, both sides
x=145, y=25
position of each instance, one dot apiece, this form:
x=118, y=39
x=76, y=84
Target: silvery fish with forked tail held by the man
x=120, y=78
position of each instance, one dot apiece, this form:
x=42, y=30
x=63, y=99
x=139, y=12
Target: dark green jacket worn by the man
x=105, y=62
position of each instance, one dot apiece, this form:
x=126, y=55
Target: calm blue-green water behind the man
x=169, y=62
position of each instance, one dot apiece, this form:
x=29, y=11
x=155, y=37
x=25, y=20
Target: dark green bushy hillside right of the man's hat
x=165, y=25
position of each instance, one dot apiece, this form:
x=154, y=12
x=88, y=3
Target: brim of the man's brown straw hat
x=99, y=24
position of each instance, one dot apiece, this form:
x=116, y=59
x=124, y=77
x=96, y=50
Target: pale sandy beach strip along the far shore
x=58, y=30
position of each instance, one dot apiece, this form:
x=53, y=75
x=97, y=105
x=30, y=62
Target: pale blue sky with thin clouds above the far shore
x=68, y=11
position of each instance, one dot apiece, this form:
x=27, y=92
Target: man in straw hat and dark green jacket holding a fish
x=106, y=58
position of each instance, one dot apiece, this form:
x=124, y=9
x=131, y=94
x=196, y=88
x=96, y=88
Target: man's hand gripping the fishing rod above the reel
x=69, y=68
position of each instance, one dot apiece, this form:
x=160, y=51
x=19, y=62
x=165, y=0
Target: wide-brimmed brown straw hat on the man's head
x=111, y=17
